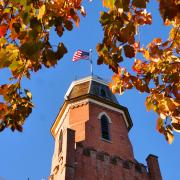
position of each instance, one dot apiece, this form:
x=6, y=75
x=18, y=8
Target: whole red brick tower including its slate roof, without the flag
x=91, y=137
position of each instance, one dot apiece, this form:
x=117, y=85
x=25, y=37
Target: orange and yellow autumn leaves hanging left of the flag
x=25, y=48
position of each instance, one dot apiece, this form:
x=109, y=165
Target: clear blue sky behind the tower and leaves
x=29, y=154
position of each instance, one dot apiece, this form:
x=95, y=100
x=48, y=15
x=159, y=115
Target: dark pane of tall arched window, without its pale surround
x=105, y=127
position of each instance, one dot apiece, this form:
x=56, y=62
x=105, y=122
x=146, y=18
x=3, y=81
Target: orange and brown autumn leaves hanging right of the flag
x=157, y=73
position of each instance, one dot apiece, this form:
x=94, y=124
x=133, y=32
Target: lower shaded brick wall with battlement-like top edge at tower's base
x=93, y=165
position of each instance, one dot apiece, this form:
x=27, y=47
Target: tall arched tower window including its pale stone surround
x=105, y=126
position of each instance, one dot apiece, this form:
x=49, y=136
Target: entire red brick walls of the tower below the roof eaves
x=86, y=156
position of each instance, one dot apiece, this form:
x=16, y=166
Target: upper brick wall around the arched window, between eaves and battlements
x=84, y=120
